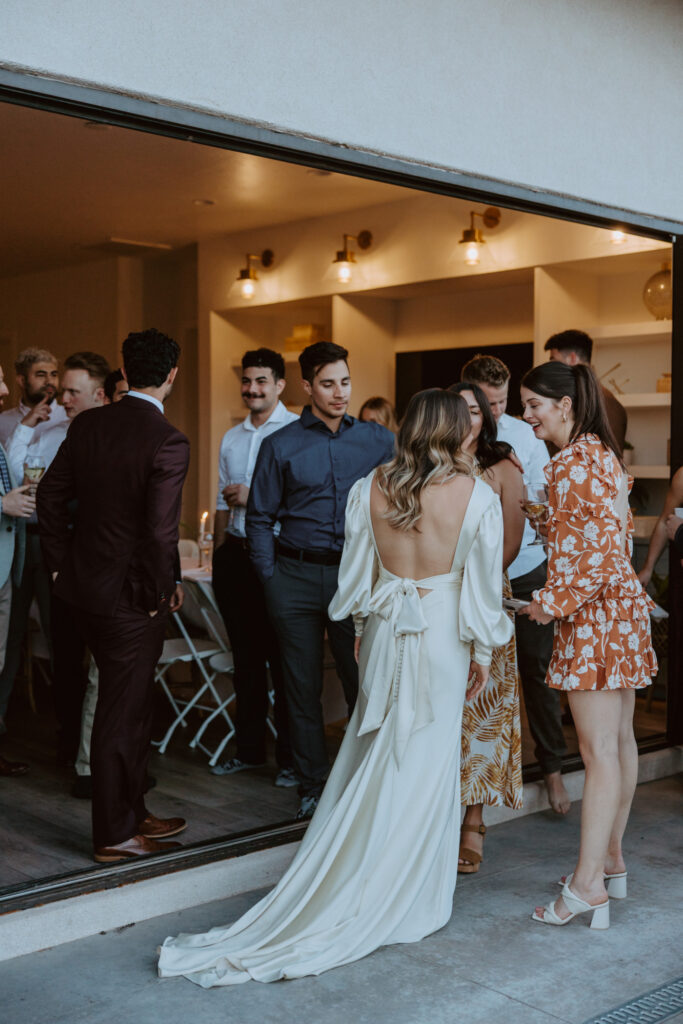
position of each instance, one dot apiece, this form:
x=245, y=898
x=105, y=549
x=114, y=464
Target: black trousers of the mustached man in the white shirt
x=242, y=603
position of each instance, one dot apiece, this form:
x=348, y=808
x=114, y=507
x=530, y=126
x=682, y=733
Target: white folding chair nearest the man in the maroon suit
x=200, y=653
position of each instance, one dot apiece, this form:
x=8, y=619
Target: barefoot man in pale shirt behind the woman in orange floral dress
x=528, y=573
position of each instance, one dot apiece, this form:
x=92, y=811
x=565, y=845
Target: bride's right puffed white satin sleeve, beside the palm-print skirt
x=483, y=621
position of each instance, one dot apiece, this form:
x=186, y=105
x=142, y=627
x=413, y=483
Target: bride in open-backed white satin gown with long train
x=421, y=574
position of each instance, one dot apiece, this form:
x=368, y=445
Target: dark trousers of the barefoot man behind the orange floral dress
x=535, y=648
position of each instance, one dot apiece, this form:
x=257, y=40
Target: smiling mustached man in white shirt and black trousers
x=238, y=589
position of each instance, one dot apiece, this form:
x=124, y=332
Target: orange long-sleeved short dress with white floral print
x=603, y=629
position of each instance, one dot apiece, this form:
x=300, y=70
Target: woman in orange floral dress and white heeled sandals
x=603, y=652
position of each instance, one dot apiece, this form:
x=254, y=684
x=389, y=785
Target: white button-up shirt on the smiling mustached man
x=238, y=458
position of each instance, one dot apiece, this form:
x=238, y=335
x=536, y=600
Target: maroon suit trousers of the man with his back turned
x=126, y=648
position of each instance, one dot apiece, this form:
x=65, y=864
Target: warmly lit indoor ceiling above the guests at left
x=66, y=186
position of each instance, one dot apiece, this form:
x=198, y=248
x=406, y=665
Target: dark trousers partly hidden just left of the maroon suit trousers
x=69, y=675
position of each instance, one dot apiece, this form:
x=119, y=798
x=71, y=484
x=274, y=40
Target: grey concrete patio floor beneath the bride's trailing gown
x=491, y=964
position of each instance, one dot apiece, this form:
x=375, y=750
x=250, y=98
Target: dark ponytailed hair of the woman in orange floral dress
x=556, y=380
